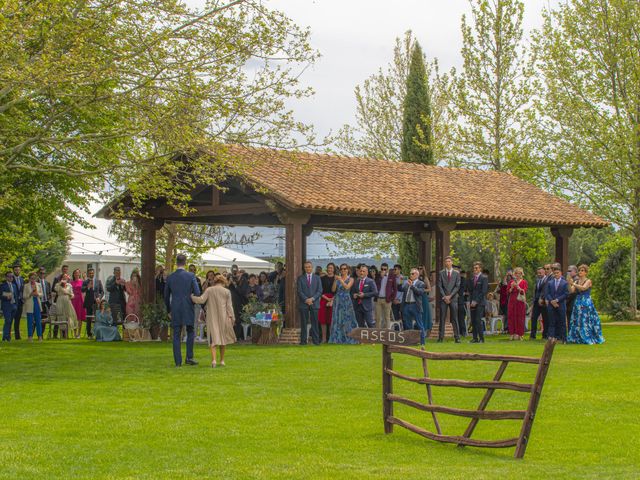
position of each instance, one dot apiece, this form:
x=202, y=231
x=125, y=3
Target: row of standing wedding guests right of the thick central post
x=336, y=300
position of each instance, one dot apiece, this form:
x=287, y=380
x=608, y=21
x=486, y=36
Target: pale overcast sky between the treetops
x=356, y=38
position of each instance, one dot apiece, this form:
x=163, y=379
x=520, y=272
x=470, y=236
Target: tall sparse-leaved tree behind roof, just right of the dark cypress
x=490, y=93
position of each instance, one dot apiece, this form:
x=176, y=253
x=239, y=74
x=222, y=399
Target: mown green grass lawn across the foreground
x=77, y=409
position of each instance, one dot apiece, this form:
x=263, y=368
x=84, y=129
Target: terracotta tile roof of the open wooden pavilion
x=318, y=182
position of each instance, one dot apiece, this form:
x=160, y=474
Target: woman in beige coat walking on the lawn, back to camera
x=218, y=317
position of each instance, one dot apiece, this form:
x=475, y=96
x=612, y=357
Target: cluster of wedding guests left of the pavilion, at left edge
x=68, y=302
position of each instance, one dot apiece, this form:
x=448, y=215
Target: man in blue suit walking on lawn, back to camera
x=177, y=297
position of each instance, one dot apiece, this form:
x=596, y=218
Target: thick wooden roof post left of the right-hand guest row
x=294, y=260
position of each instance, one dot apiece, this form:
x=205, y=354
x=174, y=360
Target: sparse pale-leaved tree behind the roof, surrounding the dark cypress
x=378, y=133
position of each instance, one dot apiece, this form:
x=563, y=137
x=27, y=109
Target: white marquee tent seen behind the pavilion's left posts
x=97, y=249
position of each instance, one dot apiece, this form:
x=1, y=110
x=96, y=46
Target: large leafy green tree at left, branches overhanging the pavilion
x=104, y=93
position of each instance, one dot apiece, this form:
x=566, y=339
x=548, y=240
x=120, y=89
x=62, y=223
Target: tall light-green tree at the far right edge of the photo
x=586, y=128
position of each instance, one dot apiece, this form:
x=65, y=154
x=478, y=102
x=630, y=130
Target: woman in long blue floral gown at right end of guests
x=585, y=322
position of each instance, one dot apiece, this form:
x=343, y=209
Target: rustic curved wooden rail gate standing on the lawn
x=527, y=416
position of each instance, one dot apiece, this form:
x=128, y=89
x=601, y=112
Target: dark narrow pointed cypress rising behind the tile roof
x=416, y=114
